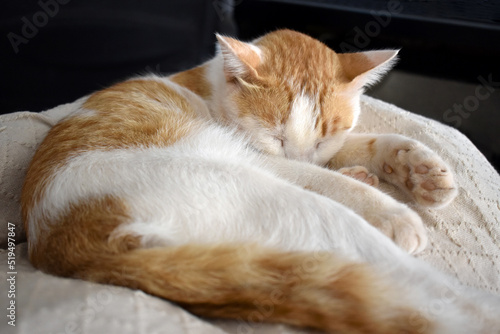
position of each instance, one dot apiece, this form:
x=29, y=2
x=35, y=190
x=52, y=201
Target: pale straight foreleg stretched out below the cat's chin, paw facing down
x=394, y=219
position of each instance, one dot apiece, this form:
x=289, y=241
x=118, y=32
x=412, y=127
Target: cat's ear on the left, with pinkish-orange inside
x=240, y=59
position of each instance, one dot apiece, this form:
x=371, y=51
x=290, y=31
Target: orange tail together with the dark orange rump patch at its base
x=245, y=282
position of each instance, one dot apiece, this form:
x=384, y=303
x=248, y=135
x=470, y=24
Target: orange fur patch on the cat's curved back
x=139, y=112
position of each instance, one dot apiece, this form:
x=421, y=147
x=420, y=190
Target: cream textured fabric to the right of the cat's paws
x=464, y=236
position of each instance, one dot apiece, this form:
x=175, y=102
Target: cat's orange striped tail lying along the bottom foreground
x=255, y=285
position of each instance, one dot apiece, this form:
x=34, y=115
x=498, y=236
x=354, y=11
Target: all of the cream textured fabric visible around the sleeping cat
x=464, y=237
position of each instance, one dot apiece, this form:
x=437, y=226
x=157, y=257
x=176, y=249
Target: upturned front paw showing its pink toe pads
x=420, y=172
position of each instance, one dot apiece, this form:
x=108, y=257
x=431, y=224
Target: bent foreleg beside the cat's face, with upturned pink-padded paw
x=402, y=161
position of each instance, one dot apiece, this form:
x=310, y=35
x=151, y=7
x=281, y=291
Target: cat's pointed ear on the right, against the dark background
x=366, y=68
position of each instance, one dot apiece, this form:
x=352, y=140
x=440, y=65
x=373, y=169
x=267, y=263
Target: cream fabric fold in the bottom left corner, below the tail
x=47, y=304
